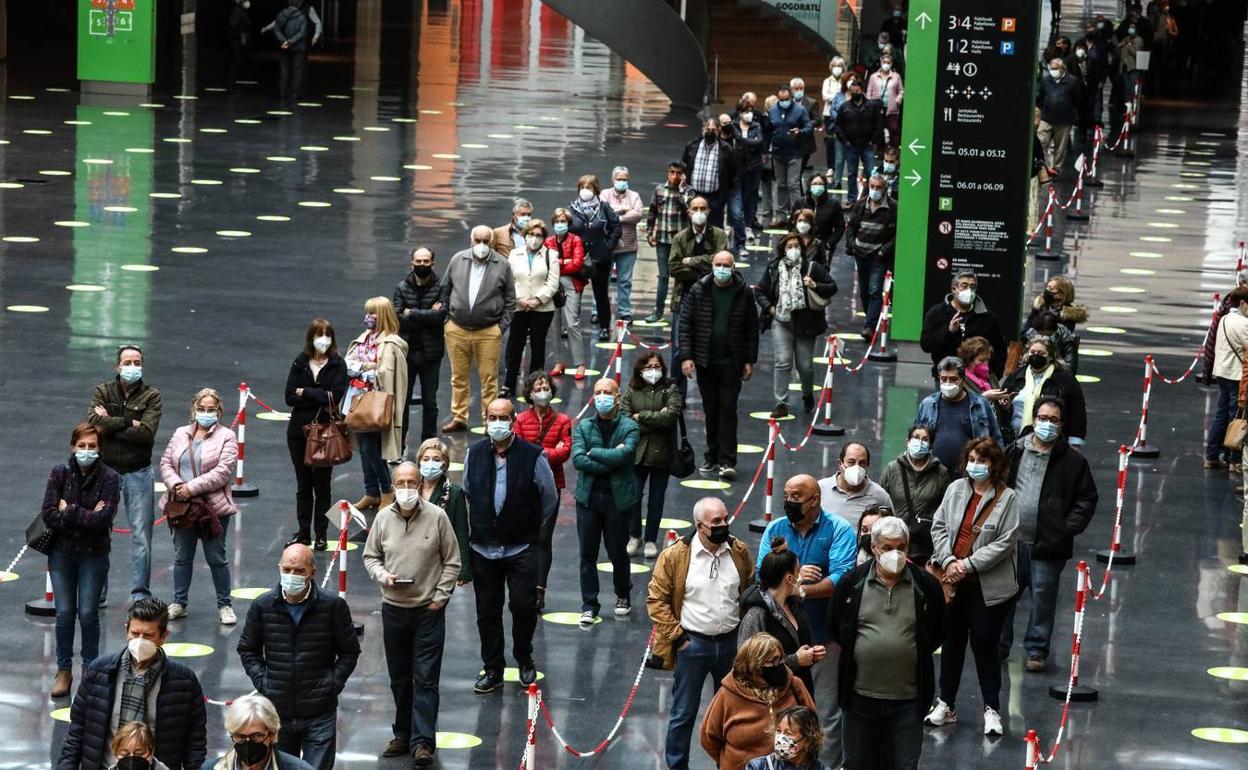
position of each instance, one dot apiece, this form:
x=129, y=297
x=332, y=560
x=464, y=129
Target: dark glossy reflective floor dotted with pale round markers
x=218, y=286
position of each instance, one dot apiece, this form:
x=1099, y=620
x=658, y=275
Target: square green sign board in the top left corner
x=118, y=41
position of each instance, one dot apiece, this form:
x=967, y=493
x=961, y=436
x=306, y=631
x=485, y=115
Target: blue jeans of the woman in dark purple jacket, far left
x=78, y=581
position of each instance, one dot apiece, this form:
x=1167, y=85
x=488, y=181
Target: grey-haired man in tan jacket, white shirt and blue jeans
x=695, y=603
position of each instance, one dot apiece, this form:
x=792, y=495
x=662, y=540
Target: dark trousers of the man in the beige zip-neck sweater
x=414, y=638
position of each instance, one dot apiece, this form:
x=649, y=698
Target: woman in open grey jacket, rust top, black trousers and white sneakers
x=974, y=540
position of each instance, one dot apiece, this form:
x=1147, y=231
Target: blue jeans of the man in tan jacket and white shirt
x=703, y=658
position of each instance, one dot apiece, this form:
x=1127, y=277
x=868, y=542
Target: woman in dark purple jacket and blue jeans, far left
x=80, y=502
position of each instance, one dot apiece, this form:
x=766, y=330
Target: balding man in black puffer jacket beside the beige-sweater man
x=299, y=648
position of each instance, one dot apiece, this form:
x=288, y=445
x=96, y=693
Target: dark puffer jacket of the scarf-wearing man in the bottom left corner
x=182, y=731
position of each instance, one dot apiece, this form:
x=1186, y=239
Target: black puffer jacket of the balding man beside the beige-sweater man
x=301, y=668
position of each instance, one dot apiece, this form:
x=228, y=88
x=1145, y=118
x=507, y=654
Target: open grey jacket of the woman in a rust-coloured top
x=993, y=555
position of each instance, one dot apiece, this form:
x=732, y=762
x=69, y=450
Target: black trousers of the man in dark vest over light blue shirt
x=519, y=577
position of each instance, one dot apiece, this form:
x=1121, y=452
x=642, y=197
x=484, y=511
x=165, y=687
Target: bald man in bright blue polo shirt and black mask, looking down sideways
x=826, y=548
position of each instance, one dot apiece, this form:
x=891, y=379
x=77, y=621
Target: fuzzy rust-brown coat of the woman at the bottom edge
x=738, y=726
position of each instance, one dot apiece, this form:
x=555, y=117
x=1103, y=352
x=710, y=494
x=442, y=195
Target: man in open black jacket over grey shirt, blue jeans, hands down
x=1056, y=497
